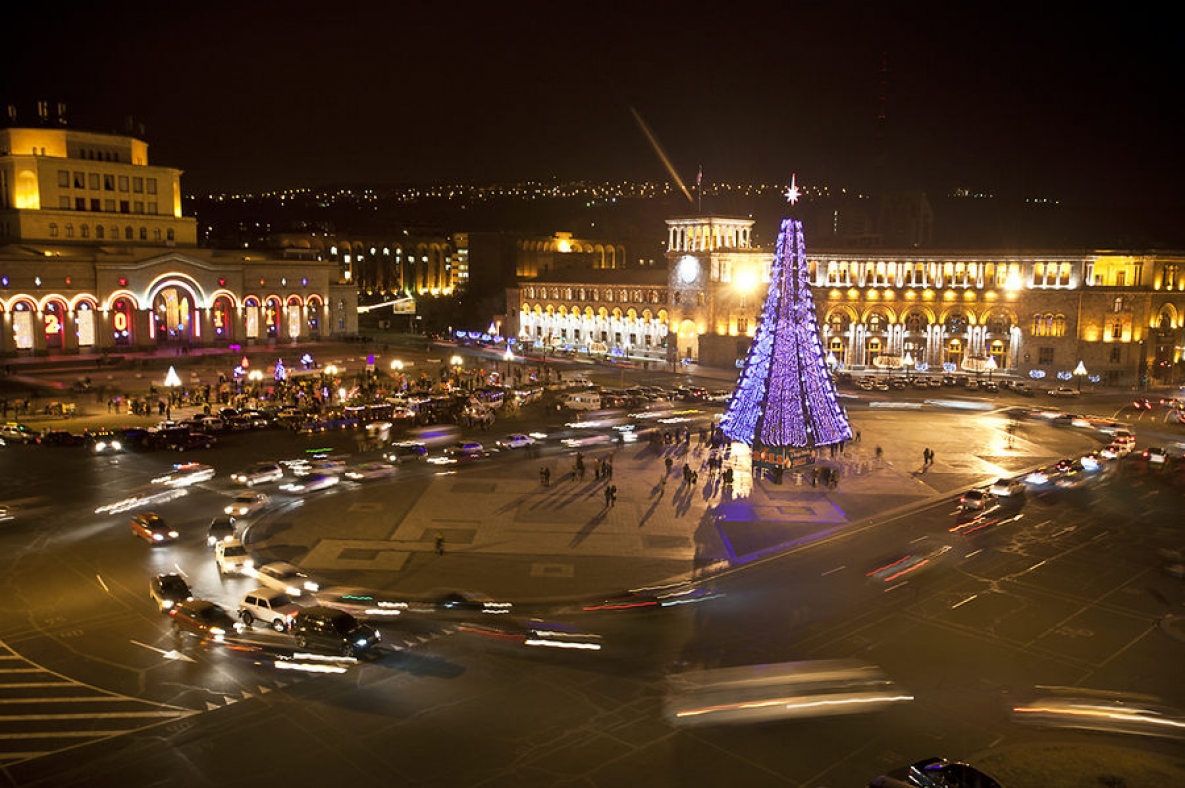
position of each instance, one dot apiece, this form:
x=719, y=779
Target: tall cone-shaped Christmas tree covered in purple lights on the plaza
x=786, y=398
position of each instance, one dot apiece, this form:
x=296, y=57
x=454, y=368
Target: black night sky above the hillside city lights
x=1061, y=102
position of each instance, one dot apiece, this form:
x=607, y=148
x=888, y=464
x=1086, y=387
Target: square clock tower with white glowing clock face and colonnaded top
x=702, y=255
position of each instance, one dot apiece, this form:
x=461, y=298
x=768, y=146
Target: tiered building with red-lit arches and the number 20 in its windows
x=97, y=258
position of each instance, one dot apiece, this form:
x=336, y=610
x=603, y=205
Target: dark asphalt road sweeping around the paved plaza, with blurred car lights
x=1065, y=590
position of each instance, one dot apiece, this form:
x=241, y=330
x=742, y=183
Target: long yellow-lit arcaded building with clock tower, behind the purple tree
x=1032, y=315
